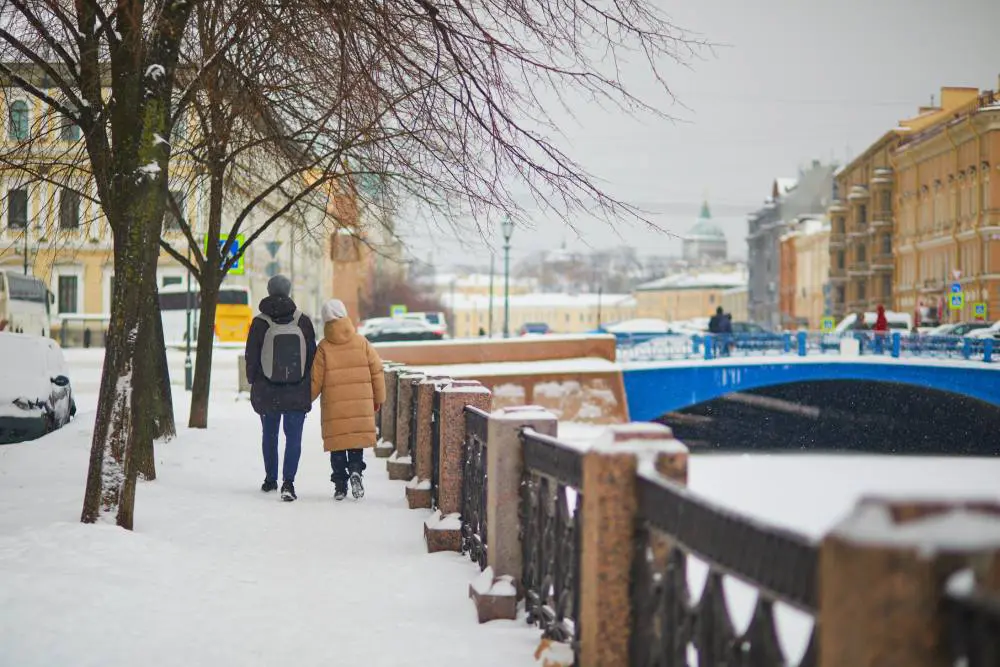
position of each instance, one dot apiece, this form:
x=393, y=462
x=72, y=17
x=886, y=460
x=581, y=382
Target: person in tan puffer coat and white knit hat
x=347, y=376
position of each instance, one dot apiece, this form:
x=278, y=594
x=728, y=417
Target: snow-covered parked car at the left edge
x=35, y=393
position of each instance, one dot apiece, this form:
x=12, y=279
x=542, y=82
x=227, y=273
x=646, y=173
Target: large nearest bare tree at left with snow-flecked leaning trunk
x=67, y=56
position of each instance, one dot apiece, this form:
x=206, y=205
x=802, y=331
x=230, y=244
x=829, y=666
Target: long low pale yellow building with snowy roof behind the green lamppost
x=563, y=313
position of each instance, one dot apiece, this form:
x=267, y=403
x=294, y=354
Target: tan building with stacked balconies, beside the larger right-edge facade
x=868, y=267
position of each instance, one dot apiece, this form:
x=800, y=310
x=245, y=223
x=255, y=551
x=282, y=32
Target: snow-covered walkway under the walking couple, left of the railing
x=217, y=572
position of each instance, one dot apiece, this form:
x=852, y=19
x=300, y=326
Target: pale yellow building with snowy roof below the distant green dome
x=686, y=296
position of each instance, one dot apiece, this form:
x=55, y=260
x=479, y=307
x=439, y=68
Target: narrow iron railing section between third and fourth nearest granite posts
x=474, y=451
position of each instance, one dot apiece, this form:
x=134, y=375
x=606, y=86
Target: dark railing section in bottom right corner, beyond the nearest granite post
x=974, y=620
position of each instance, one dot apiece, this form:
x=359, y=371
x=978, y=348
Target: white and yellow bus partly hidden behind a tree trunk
x=233, y=314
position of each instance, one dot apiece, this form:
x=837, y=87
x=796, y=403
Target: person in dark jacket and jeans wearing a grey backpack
x=280, y=349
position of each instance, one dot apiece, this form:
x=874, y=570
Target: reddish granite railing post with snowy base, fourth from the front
x=443, y=530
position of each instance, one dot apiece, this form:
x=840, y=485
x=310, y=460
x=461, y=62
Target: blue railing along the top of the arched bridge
x=665, y=347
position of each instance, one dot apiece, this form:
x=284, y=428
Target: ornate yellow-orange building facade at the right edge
x=948, y=196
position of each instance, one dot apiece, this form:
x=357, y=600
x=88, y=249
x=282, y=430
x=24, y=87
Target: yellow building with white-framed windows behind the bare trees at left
x=52, y=226
